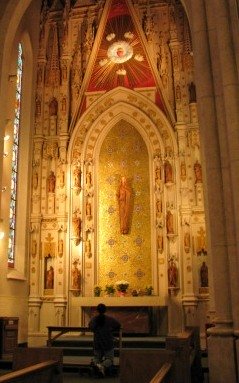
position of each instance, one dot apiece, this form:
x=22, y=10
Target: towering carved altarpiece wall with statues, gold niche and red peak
x=116, y=100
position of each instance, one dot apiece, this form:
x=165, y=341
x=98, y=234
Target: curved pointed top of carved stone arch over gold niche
x=134, y=107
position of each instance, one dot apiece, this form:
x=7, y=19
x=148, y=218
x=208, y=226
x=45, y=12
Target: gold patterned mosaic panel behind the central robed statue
x=124, y=256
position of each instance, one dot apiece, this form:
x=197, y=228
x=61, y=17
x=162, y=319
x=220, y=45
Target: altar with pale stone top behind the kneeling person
x=137, y=315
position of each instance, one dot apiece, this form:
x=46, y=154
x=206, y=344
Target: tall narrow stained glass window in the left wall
x=15, y=152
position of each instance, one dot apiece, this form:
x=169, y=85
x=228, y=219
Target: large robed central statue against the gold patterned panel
x=124, y=196
